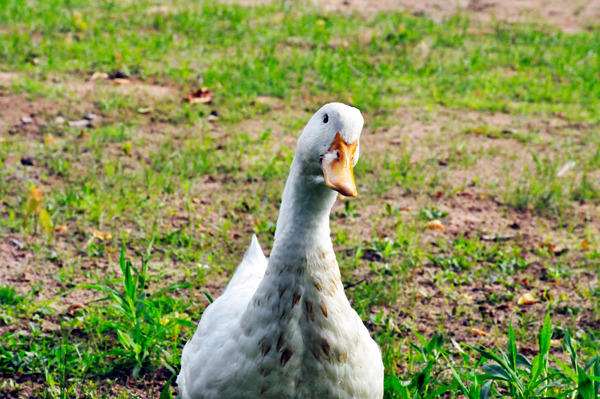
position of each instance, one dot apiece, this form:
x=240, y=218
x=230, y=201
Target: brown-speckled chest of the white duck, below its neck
x=305, y=341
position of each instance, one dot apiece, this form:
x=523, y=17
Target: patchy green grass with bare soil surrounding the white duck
x=466, y=125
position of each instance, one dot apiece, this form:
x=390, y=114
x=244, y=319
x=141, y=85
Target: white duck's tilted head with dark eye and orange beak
x=329, y=147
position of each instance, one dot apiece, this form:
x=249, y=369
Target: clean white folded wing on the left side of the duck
x=220, y=320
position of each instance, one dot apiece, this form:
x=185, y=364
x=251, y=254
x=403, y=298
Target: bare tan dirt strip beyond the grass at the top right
x=571, y=16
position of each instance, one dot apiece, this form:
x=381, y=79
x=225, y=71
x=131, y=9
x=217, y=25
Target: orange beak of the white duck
x=338, y=172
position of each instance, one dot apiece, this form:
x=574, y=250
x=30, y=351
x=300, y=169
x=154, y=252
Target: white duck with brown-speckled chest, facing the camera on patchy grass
x=283, y=328
